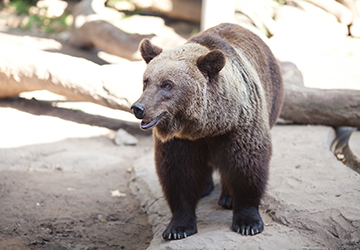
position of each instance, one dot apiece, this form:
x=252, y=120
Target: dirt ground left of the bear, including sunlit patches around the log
x=64, y=184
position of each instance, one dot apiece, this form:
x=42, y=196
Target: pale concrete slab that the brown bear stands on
x=312, y=200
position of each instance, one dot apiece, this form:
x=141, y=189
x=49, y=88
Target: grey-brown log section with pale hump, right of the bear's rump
x=334, y=107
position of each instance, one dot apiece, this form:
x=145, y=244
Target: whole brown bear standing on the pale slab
x=211, y=102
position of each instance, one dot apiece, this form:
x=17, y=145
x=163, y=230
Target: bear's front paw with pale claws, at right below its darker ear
x=248, y=222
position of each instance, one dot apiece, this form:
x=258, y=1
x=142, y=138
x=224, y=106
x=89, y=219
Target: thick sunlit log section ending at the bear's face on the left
x=24, y=70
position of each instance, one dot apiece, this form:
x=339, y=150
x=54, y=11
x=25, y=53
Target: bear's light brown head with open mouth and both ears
x=176, y=86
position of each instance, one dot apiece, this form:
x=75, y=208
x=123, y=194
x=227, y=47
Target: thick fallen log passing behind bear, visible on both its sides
x=118, y=86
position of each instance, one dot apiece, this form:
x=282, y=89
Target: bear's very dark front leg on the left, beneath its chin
x=185, y=177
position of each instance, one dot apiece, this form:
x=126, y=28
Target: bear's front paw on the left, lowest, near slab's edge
x=179, y=230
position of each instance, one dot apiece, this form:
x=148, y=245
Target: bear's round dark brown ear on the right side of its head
x=211, y=63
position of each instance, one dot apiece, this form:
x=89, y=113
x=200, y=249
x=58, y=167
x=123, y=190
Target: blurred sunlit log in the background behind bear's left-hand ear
x=94, y=26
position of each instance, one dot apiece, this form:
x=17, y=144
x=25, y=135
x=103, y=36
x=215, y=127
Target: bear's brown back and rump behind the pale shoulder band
x=230, y=38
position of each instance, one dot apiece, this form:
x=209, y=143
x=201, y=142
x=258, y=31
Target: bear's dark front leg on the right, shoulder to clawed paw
x=244, y=176
